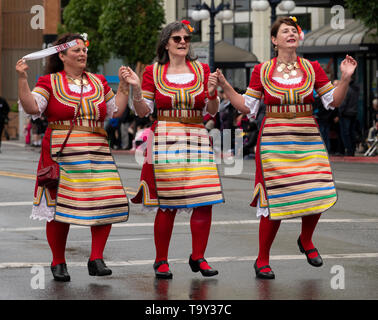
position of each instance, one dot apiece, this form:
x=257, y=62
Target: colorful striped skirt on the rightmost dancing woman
x=293, y=172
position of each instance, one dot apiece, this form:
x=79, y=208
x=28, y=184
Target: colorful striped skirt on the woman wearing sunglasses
x=180, y=169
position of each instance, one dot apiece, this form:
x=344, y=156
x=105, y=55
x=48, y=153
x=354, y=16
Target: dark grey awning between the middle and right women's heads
x=226, y=55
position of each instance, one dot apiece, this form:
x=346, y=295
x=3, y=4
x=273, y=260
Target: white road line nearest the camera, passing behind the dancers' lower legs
x=13, y=265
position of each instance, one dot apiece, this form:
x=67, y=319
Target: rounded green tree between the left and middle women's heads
x=130, y=29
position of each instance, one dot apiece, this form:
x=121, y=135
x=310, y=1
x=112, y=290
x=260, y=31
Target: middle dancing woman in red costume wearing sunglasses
x=179, y=172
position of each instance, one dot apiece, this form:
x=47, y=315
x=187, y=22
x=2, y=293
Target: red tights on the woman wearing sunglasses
x=200, y=223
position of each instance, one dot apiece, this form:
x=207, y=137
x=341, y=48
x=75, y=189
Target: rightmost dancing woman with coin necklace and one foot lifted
x=293, y=173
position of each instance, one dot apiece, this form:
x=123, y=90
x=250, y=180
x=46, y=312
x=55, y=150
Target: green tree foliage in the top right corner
x=366, y=11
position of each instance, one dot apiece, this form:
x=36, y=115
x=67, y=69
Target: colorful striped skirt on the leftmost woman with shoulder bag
x=90, y=190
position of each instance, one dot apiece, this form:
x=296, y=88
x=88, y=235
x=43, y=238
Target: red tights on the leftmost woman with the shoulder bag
x=57, y=233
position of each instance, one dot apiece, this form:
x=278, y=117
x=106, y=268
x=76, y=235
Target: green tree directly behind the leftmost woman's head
x=81, y=16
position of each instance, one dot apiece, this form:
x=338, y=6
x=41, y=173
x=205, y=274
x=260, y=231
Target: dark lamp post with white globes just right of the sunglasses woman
x=203, y=12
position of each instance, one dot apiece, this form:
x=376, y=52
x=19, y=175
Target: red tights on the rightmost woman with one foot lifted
x=267, y=233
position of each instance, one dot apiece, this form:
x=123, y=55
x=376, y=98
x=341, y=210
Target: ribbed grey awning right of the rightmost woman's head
x=354, y=37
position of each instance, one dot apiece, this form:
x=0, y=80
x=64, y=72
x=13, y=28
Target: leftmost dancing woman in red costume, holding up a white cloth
x=90, y=192
